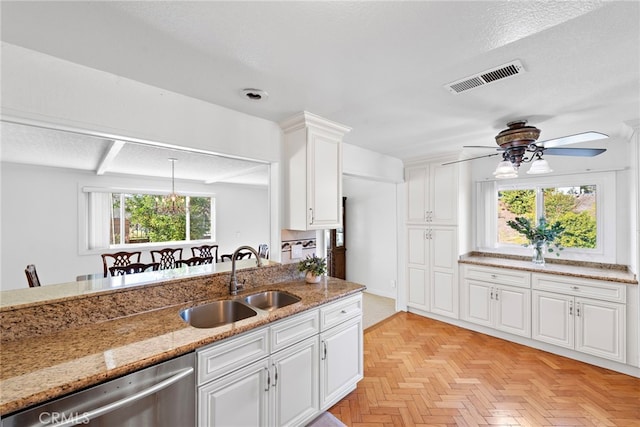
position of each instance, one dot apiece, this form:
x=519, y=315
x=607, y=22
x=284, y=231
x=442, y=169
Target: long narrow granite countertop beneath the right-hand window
x=597, y=271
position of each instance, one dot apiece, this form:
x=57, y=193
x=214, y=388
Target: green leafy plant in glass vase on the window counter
x=540, y=236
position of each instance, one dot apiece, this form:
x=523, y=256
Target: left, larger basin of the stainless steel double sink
x=217, y=313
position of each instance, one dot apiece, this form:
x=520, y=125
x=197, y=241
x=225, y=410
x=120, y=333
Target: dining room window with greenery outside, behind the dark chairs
x=121, y=218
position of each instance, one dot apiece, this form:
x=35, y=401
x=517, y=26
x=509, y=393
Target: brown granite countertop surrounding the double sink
x=39, y=368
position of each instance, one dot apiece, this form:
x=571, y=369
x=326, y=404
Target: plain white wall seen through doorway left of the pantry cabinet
x=371, y=234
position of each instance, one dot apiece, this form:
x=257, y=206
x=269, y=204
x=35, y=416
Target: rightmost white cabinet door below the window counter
x=600, y=328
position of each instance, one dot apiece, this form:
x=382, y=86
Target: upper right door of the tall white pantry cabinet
x=443, y=191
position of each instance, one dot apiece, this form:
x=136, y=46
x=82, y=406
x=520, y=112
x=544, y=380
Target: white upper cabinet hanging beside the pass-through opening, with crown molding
x=313, y=172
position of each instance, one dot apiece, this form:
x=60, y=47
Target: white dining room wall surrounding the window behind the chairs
x=39, y=220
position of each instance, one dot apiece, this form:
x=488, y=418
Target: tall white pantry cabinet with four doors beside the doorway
x=432, y=238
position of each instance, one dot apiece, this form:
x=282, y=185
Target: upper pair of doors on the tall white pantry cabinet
x=432, y=193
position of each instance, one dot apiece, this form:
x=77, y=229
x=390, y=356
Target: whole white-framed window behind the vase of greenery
x=581, y=203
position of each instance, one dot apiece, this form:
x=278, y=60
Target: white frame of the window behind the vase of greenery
x=487, y=218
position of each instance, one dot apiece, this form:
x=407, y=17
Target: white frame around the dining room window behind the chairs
x=87, y=218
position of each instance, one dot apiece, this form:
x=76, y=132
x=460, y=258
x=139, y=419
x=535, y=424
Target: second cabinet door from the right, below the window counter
x=553, y=318
